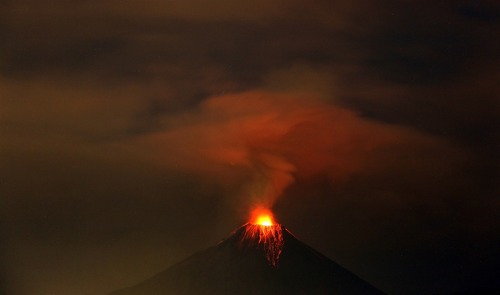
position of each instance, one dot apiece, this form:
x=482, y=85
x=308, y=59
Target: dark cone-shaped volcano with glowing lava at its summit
x=260, y=257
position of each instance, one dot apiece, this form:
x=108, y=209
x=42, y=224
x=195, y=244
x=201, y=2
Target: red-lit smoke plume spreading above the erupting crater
x=274, y=139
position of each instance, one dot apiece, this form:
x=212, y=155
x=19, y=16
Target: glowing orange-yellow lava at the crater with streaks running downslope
x=263, y=231
